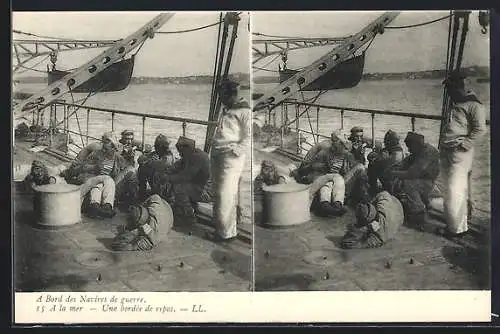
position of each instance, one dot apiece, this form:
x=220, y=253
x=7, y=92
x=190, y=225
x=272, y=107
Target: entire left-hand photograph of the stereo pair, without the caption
x=131, y=151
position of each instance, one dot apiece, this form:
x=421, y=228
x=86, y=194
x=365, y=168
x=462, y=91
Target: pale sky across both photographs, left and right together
x=415, y=49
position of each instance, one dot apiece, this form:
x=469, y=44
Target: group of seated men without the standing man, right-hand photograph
x=385, y=187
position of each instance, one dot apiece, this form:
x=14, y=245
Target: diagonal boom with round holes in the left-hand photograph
x=74, y=79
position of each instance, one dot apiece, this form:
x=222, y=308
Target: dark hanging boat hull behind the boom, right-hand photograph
x=346, y=75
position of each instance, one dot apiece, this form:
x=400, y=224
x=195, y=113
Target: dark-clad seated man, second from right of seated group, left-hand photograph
x=153, y=163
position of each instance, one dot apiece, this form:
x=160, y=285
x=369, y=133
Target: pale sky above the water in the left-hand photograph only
x=166, y=55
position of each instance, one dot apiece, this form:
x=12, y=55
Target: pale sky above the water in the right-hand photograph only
x=402, y=50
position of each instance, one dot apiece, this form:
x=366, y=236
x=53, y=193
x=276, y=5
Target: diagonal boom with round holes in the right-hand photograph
x=324, y=64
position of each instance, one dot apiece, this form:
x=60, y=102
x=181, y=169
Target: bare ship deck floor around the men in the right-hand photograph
x=309, y=257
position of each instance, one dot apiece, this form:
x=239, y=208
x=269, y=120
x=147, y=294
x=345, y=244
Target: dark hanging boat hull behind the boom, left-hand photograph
x=114, y=78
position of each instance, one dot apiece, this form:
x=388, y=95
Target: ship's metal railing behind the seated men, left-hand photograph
x=70, y=110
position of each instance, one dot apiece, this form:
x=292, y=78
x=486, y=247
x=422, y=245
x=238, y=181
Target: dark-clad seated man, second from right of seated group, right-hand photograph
x=382, y=159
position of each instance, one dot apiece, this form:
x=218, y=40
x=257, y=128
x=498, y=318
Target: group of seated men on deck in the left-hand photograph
x=152, y=185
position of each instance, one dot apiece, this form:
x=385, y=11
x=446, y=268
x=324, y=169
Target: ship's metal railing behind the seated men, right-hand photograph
x=302, y=110
